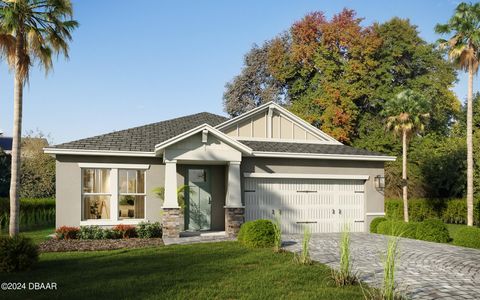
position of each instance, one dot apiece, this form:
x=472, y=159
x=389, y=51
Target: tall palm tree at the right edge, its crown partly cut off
x=463, y=48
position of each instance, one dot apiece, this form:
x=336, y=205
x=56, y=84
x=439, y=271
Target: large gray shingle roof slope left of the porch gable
x=143, y=138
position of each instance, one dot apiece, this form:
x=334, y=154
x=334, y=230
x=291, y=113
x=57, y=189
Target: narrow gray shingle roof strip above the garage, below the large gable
x=307, y=148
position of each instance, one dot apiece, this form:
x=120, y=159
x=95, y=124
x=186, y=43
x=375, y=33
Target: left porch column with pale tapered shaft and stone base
x=171, y=210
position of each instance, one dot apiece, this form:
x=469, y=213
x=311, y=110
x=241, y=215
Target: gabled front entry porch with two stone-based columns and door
x=209, y=163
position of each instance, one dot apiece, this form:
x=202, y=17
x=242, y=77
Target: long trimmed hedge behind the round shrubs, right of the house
x=453, y=211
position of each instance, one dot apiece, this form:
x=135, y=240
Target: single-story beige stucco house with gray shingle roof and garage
x=264, y=162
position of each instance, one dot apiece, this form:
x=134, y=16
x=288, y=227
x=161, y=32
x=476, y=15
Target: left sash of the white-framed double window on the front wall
x=96, y=193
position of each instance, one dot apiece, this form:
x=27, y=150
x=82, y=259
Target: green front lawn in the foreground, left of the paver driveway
x=201, y=271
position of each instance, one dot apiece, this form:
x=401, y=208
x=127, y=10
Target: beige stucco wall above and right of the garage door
x=374, y=200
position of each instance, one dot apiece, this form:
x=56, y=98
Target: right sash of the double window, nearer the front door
x=131, y=200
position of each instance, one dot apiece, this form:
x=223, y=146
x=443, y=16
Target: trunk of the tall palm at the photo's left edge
x=17, y=135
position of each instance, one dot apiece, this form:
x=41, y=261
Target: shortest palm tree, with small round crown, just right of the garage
x=406, y=115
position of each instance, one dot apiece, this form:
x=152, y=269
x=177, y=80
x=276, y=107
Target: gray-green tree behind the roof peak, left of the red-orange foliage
x=254, y=86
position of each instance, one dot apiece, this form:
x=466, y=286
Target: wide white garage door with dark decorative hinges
x=325, y=205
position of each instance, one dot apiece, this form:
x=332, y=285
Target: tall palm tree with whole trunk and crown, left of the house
x=39, y=29
